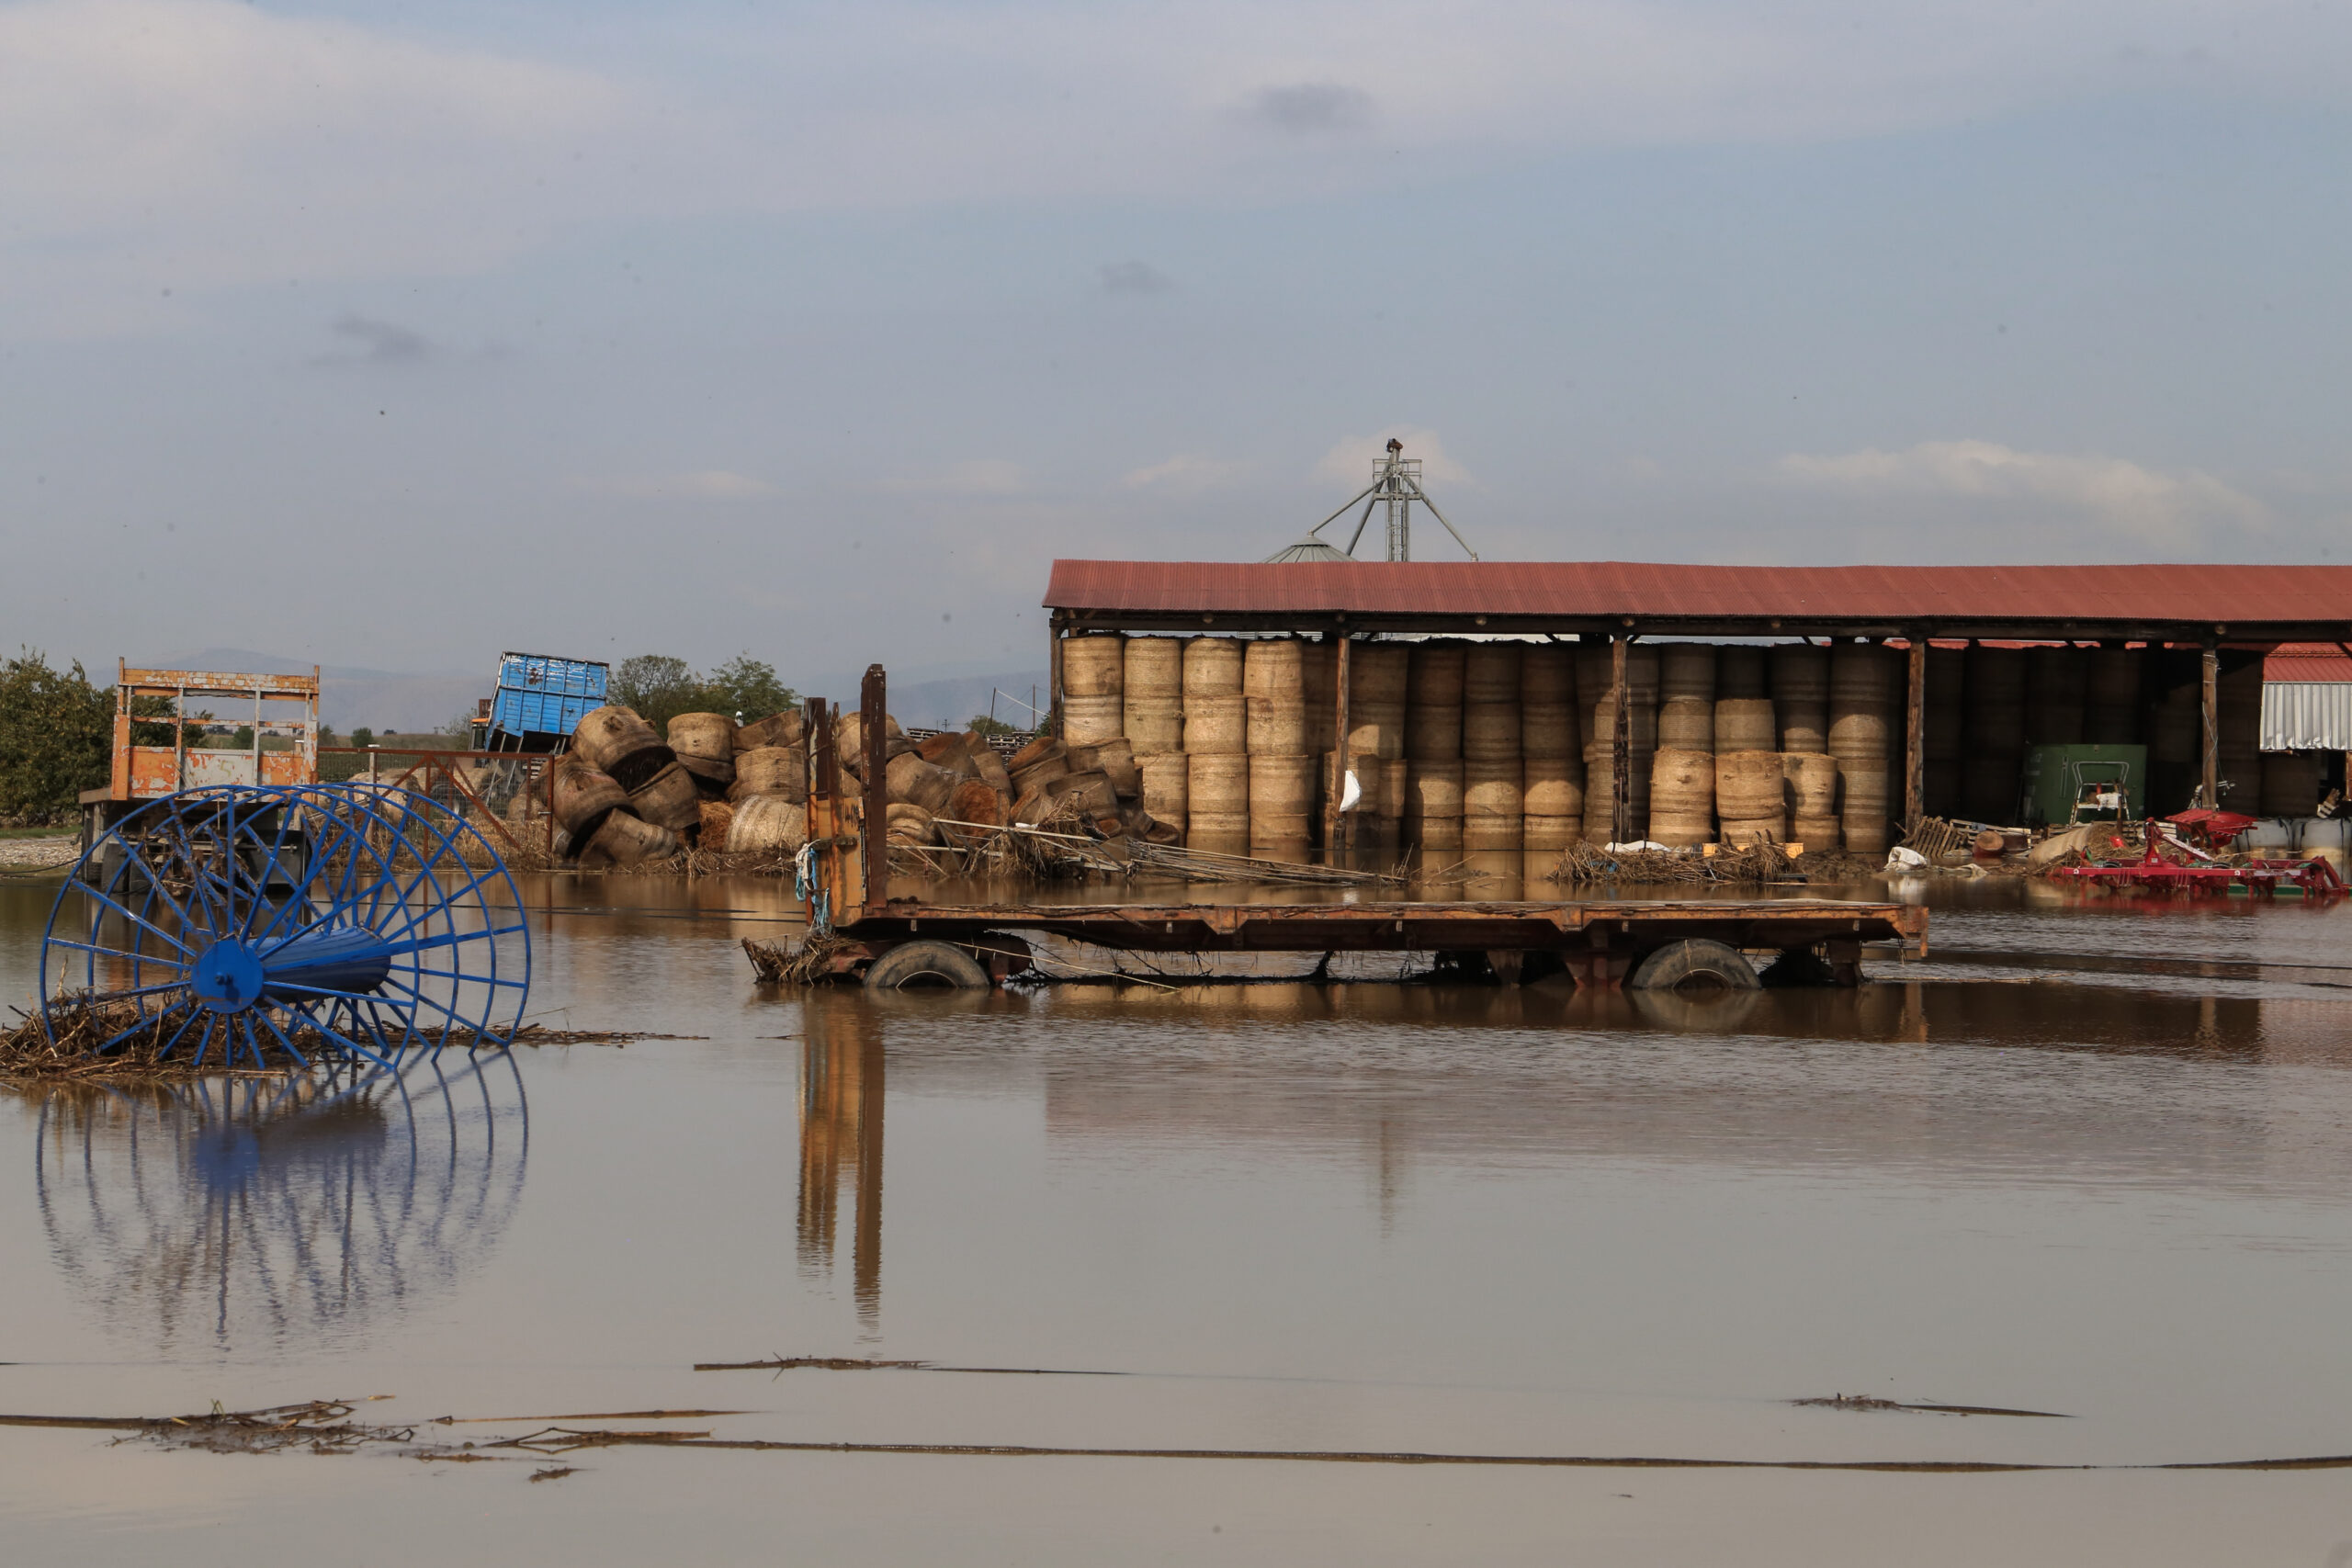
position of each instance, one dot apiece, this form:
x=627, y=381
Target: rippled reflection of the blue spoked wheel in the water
x=274, y=1212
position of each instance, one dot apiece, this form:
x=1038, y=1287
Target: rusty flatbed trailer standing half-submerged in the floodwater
x=1596, y=942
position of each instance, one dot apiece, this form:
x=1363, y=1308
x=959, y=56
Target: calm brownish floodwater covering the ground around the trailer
x=2090, y=1158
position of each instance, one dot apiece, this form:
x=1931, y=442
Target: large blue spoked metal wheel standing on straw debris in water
x=345, y=920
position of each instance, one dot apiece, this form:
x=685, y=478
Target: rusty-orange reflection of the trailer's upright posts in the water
x=841, y=1132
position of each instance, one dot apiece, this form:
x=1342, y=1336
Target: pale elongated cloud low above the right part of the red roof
x=2123, y=497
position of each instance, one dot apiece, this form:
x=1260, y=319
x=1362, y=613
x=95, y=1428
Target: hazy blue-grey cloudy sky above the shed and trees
x=403, y=335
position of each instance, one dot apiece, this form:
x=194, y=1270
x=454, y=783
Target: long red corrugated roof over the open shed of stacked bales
x=2233, y=596
